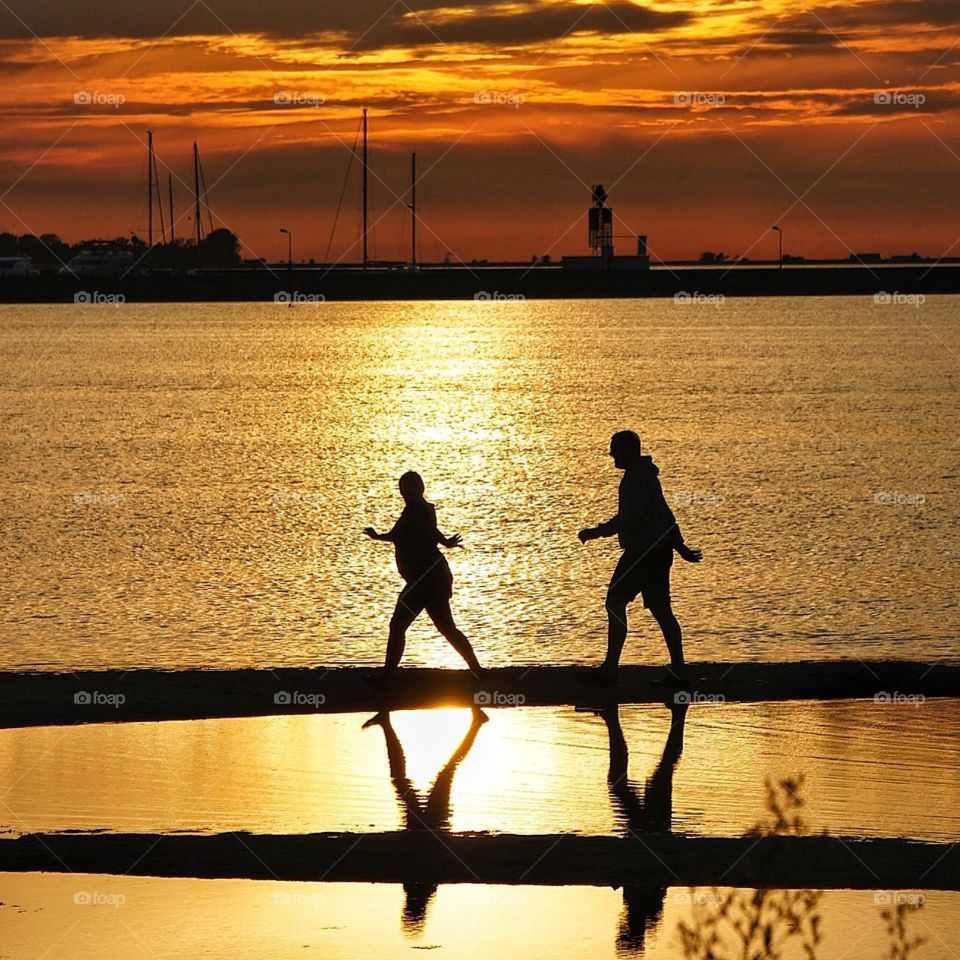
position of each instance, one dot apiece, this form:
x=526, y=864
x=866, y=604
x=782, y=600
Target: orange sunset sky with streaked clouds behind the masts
x=706, y=121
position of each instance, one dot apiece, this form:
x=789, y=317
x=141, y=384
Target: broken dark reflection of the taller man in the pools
x=638, y=813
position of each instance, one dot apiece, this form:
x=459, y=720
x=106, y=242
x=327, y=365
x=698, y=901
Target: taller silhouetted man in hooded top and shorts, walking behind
x=648, y=533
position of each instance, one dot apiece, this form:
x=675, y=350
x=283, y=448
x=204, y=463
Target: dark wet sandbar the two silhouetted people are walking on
x=33, y=699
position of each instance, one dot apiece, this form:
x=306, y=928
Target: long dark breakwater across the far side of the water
x=886, y=282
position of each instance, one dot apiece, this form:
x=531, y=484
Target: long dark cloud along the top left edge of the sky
x=363, y=24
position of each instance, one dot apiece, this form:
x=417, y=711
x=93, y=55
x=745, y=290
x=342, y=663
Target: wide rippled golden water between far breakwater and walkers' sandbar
x=186, y=484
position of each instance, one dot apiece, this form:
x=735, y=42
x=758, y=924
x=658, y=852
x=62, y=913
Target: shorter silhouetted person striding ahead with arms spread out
x=429, y=582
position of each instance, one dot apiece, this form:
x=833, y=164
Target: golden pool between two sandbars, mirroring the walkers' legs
x=869, y=771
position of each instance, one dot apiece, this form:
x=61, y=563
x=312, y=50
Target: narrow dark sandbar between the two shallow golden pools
x=816, y=862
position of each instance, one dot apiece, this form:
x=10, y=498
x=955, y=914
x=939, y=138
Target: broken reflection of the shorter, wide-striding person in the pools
x=422, y=813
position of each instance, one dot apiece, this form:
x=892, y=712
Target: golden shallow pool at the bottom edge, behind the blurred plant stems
x=121, y=917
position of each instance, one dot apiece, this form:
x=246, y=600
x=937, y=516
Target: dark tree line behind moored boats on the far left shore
x=49, y=253
